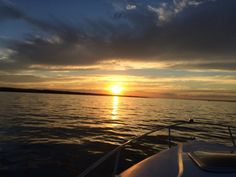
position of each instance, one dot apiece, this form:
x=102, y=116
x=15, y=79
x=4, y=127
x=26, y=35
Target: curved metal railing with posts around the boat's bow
x=136, y=138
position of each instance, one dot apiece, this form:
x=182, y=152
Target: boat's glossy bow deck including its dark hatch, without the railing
x=195, y=159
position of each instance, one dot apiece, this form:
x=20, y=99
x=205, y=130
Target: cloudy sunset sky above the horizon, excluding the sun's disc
x=157, y=48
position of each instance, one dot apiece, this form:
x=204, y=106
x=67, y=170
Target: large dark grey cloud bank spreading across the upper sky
x=185, y=31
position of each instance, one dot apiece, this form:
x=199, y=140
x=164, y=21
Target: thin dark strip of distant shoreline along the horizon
x=48, y=91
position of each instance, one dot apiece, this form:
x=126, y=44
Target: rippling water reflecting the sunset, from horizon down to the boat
x=60, y=135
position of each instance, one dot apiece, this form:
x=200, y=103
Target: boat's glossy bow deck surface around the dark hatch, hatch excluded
x=175, y=162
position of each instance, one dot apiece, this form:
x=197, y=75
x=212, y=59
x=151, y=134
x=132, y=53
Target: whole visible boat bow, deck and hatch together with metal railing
x=195, y=158
